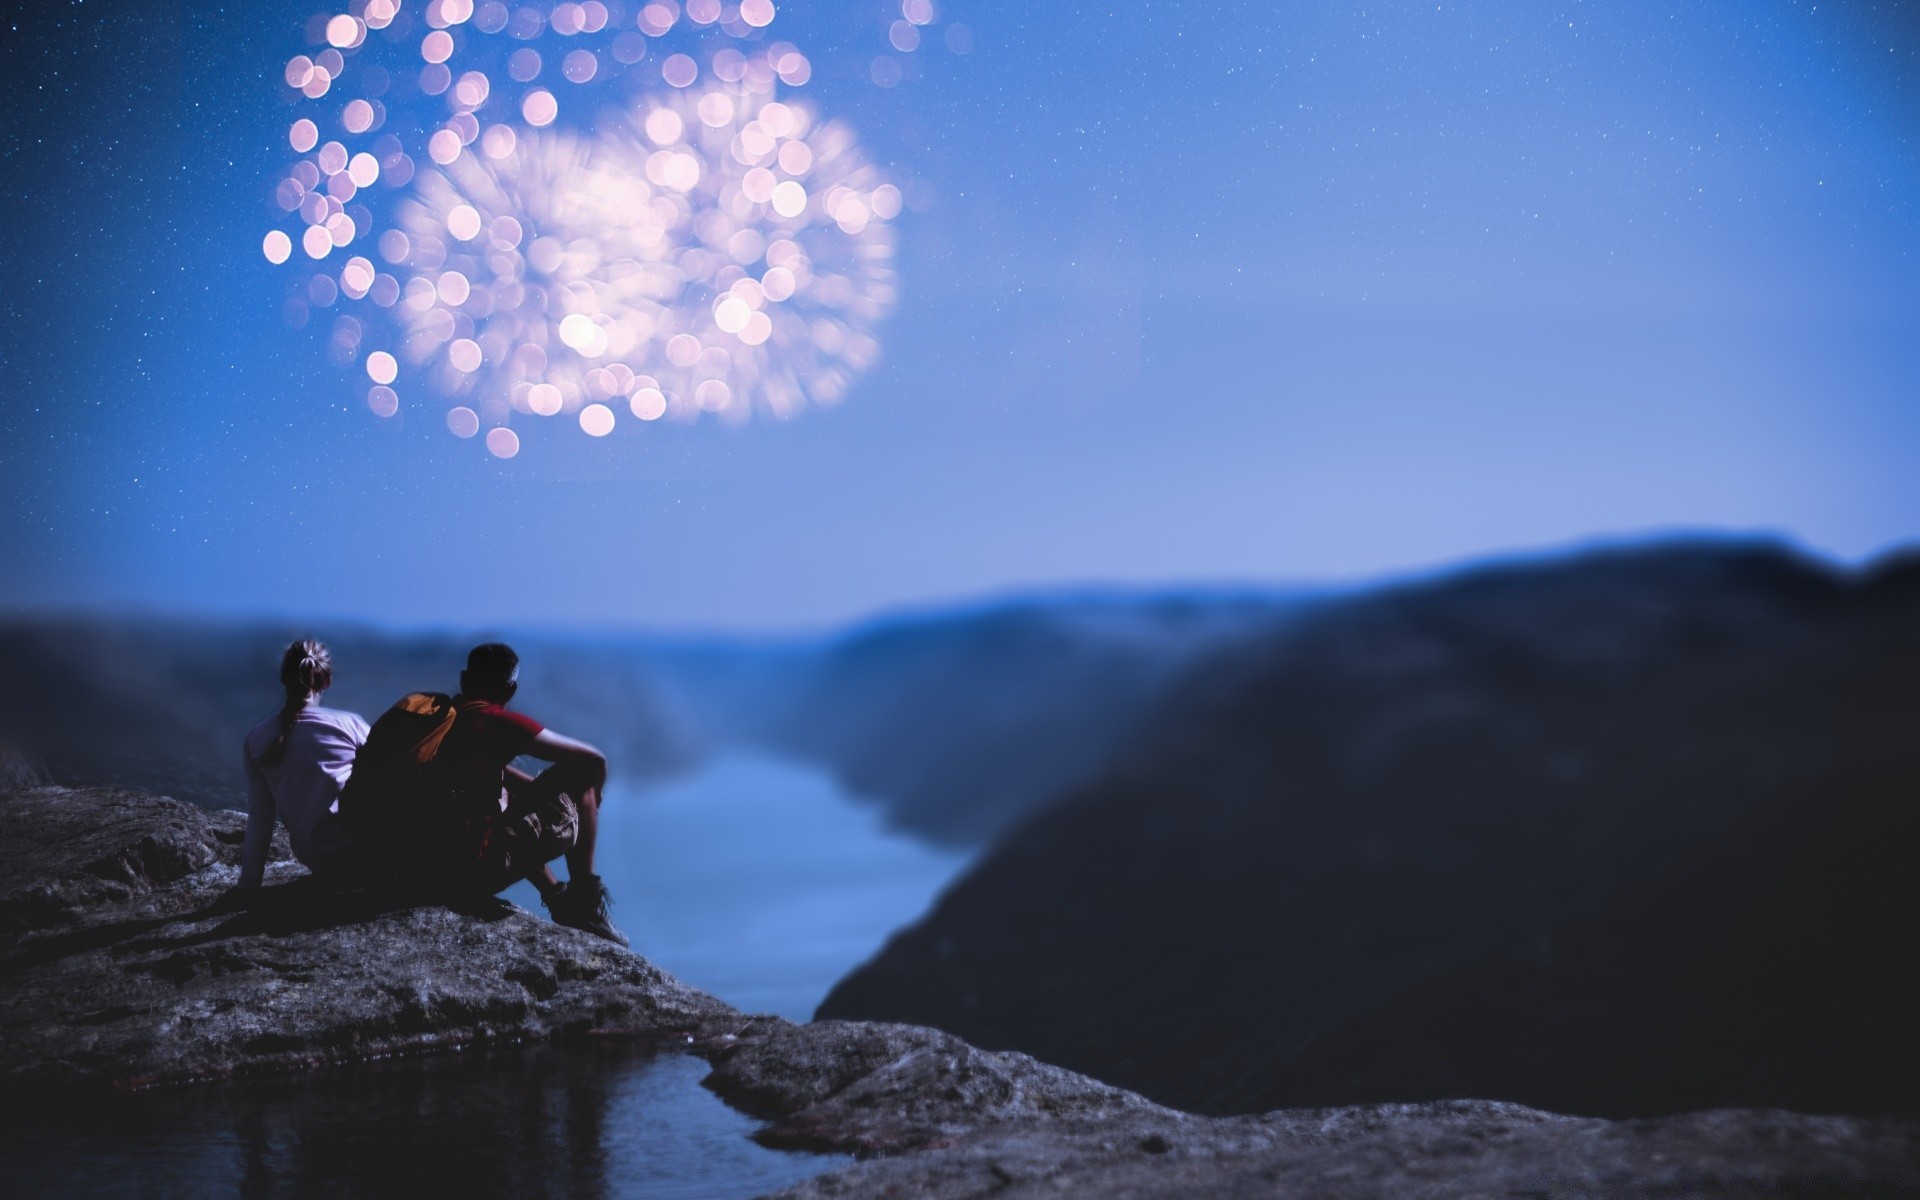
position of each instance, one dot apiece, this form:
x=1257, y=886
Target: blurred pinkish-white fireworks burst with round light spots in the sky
x=592, y=237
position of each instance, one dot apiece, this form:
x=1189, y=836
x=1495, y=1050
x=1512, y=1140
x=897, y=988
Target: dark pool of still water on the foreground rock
x=594, y=1120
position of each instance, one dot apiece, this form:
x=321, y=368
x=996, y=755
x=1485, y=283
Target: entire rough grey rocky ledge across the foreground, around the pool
x=120, y=971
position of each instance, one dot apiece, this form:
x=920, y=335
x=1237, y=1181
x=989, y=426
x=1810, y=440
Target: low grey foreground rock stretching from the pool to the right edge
x=951, y=1120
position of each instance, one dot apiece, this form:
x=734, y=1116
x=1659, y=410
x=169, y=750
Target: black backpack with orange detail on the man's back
x=398, y=782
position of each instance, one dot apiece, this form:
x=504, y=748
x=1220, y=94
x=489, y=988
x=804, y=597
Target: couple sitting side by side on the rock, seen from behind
x=429, y=798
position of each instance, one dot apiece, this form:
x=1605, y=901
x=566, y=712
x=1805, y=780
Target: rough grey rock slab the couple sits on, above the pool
x=116, y=965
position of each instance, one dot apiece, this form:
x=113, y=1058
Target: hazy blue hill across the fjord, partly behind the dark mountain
x=959, y=723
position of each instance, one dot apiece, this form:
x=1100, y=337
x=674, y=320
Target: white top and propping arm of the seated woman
x=302, y=790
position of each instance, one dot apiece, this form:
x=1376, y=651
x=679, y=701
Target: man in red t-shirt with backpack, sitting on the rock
x=437, y=786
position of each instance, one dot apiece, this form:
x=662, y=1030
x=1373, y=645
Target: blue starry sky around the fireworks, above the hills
x=1234, y=293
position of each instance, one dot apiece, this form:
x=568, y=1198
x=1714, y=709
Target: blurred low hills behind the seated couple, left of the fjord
x=164, y=704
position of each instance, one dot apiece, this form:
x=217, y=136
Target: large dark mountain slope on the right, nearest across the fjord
x=1623, y=834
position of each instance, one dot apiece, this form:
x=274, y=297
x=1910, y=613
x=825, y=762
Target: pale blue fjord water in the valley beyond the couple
x=759, y=880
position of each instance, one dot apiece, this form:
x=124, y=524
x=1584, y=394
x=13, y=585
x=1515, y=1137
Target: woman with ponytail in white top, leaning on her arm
x=297, y=763
